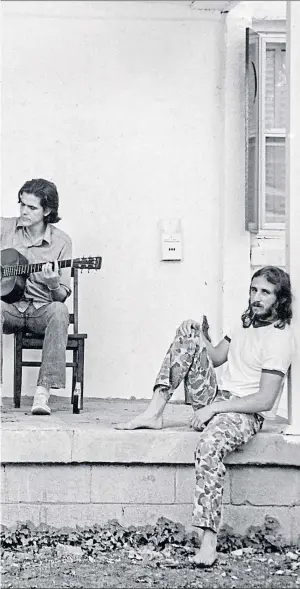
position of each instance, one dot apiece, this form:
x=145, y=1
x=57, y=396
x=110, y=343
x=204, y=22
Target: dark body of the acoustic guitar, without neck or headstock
x=12, y=287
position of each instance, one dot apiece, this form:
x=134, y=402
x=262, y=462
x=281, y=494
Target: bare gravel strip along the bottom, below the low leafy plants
x=129, y=569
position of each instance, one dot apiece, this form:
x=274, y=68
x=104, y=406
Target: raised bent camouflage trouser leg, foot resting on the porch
x=187, y=359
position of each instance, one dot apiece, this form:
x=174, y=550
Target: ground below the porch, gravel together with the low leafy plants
x=146, y=556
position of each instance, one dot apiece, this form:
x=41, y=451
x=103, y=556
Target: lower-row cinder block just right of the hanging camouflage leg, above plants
x=240, y=518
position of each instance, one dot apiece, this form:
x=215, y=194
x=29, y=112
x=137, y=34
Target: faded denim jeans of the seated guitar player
x=51, y=320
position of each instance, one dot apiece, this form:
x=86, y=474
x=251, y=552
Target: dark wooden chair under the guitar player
x=30, y=341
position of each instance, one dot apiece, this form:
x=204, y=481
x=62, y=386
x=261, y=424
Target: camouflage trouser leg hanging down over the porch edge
x=224, y=433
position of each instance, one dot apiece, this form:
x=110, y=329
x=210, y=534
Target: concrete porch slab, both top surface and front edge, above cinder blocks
x=90, y=437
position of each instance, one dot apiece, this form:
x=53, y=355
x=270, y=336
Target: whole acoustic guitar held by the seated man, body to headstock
x=15, y=269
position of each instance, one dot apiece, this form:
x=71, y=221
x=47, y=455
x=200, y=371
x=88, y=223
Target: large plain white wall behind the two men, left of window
x=120, y=104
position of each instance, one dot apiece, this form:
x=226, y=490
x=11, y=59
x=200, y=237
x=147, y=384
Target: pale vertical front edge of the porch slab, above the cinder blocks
x=91, y=444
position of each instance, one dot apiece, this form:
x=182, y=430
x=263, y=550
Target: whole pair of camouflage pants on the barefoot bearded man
x=187, y=359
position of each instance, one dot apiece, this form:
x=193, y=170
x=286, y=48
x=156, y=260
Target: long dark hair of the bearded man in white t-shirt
x=283, y=305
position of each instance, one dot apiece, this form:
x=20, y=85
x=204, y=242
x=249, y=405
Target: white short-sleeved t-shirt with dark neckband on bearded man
x=253, y=350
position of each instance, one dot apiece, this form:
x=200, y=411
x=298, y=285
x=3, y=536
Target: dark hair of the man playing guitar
x=47, y=193
